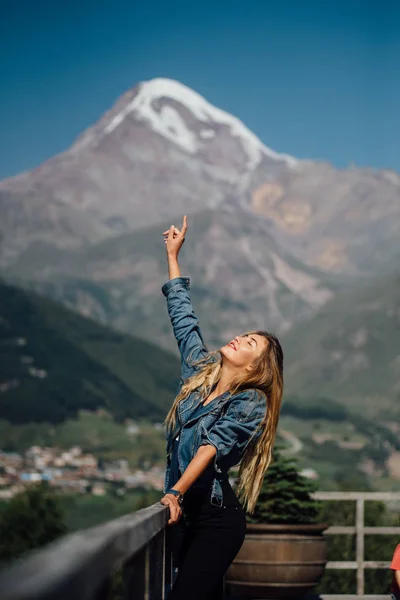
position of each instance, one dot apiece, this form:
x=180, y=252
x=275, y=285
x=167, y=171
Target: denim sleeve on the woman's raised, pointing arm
x=185, y=324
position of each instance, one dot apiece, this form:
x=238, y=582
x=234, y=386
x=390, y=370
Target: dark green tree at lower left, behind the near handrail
x=31, y=519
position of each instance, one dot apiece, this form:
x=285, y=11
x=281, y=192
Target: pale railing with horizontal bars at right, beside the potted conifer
x=359, y=530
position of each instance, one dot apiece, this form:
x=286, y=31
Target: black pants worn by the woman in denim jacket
x=205, y=541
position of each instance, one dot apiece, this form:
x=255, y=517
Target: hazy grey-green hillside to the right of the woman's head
x=350, y=351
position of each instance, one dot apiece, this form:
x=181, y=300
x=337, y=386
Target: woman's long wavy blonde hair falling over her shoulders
x=267, y=377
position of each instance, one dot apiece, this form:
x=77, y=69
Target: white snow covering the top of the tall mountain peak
x=168, y=122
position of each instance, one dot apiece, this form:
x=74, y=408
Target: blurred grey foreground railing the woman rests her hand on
x=79, y=565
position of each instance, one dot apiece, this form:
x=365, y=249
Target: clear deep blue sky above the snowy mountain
x=314, y=78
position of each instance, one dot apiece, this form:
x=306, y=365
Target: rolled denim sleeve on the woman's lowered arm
x=234, y=430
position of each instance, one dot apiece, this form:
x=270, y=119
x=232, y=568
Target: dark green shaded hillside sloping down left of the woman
x=54, y=362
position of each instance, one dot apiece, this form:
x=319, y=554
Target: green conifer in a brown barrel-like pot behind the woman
x=284, y=552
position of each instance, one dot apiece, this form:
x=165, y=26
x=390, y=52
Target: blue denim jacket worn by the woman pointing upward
x=228, y=422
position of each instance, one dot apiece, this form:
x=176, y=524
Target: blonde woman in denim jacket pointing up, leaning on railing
x=226, y=412
